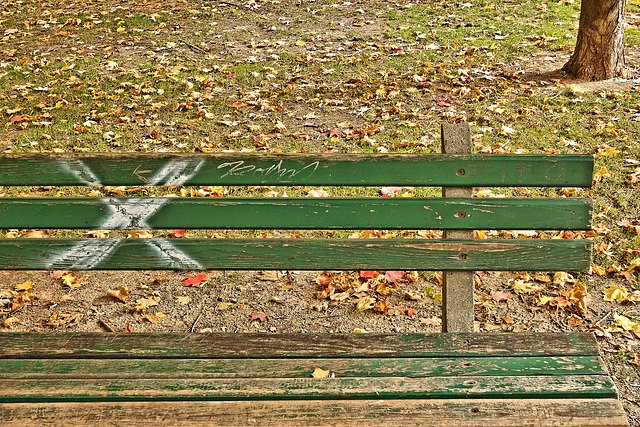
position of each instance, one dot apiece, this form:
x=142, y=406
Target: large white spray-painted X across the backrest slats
x=127, y=214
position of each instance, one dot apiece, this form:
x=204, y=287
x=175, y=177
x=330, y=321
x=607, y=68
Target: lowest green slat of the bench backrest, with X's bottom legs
x=294, y=254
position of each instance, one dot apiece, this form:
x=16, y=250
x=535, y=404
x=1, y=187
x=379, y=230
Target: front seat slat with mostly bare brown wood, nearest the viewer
x=384, y=413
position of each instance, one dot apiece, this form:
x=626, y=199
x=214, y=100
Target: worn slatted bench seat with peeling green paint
x=266, y=379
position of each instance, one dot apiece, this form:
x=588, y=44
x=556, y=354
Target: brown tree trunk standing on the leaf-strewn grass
x=599, y=52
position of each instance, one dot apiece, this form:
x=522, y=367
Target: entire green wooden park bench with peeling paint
x=453, y=378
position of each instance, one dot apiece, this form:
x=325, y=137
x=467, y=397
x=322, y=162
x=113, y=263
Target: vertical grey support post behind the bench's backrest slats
x=457, y=286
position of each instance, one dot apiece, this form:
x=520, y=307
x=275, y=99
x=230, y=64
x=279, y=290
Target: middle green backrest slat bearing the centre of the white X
x=292, y=213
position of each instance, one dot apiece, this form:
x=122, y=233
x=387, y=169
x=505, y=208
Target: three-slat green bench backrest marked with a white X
x=413, y=170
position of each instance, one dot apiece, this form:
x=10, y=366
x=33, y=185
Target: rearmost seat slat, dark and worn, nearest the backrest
x=83, y=345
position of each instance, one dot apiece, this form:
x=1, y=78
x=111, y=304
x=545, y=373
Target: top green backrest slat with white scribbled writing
x=297, y=169
